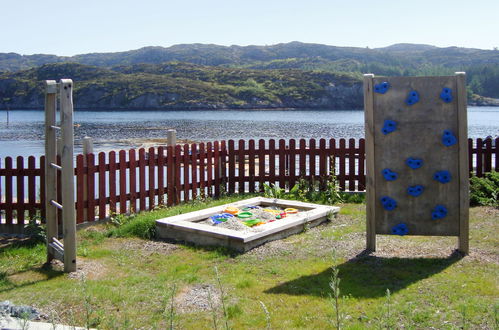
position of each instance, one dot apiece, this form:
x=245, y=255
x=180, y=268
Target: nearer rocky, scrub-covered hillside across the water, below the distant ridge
x=177, y=85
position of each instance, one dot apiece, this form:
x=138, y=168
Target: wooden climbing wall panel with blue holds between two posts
x=416, y=140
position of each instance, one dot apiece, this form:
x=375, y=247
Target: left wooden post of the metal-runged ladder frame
x=50, y=157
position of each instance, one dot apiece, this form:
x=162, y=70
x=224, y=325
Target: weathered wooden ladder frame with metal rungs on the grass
x=64, y=251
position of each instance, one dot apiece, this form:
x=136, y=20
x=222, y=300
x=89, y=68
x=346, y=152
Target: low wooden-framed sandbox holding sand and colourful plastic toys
x=197, y=227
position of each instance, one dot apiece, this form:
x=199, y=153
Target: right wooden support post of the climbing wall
x=464, y=199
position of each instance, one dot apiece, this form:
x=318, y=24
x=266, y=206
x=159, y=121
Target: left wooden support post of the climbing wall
x=369, y=136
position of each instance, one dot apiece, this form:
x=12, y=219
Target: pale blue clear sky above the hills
x=87, y=26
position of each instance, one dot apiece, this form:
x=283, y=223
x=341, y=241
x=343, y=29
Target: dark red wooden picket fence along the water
x=137, y=180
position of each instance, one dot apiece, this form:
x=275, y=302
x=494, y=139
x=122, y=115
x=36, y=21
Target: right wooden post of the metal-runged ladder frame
x=67, y=175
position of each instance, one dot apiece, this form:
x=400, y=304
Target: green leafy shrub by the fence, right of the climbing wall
x=485, y=191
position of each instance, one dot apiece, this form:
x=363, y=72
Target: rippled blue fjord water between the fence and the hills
x=24, y=133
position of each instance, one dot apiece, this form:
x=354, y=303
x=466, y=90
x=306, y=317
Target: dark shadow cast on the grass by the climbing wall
x=367, y=276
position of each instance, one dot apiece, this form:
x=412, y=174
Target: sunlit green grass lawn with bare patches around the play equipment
x=128, y=282
